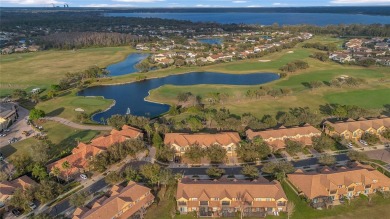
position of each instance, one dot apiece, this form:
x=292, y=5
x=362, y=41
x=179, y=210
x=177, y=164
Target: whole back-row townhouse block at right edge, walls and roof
x=354, y=129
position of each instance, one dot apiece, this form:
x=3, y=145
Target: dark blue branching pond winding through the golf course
x=133, y=95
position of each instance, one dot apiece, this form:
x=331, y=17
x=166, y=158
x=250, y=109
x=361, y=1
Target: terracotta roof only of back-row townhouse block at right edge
x=352, y=125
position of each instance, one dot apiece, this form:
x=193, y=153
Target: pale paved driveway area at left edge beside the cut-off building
x=18, y=128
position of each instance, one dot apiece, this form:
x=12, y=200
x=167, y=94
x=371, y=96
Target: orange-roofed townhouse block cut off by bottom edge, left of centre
x=121, y=202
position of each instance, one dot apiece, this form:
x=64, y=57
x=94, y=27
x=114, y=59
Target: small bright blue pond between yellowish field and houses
x=127, y=66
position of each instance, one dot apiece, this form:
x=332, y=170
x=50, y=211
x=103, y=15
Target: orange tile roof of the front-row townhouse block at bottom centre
x=225, y=188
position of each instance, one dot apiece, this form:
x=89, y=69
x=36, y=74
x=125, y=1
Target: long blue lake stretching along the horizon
x=321, y=19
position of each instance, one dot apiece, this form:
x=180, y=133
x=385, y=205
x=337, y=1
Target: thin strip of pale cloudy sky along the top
x=190, y=3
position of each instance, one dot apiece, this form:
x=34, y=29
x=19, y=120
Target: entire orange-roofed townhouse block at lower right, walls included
x=329, y=186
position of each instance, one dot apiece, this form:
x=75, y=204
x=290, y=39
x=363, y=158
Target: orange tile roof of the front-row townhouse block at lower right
x=319, y=184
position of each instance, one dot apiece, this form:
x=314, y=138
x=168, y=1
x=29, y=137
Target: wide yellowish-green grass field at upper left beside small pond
x=41, y=69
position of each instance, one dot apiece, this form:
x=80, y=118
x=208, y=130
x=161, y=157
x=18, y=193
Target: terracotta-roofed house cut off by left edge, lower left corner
x=8, y=188
